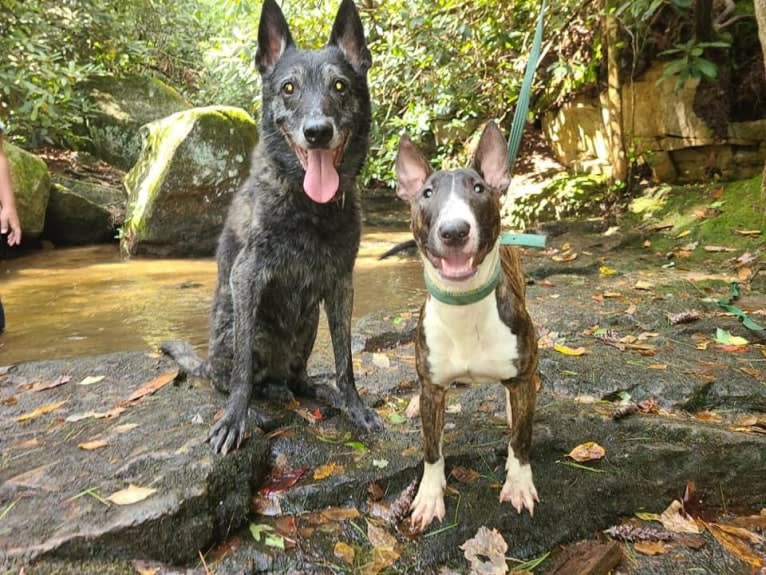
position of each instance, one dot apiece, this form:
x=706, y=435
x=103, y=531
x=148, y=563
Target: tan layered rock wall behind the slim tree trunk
x=670, y=136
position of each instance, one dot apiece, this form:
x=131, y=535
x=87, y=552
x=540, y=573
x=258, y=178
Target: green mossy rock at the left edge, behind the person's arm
x=31, y=185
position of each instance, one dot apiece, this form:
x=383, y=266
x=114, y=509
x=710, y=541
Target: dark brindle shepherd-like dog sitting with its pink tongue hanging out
x=292, y=232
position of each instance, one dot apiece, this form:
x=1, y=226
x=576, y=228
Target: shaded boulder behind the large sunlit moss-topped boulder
x=123, y=106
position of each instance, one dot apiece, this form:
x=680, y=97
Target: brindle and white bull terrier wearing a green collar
x=474, y=326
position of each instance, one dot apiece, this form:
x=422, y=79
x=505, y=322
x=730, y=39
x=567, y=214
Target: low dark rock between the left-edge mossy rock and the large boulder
x=82, y=212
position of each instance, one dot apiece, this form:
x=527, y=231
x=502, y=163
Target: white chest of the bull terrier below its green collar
x=468, y=343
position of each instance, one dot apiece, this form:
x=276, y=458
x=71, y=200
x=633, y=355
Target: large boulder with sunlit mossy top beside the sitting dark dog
x=181, y=186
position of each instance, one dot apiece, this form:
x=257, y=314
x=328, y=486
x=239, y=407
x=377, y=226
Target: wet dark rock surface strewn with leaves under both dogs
x=311, y=478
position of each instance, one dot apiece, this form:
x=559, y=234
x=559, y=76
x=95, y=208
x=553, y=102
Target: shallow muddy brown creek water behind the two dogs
x=83, y=301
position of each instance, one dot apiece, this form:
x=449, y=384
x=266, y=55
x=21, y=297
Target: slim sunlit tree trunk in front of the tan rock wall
x=614, y=121
